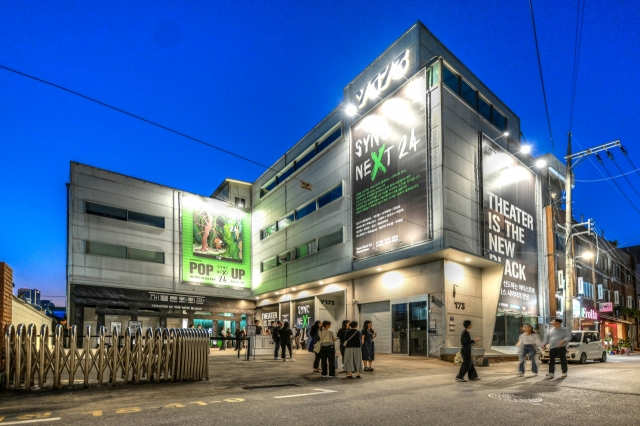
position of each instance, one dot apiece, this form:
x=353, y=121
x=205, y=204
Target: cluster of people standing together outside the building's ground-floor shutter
x=356, y=348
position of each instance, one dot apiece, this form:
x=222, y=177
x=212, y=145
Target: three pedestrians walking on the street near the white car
x=529, y=343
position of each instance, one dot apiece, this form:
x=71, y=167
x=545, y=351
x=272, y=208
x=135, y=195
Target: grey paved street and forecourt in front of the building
x=401, y=390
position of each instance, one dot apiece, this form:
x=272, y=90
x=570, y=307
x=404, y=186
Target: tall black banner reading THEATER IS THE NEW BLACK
x=509, y=197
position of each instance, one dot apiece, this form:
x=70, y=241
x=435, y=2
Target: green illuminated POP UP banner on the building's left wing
x=216, y=243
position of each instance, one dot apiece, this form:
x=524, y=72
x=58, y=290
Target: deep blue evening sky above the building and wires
x=254, y=77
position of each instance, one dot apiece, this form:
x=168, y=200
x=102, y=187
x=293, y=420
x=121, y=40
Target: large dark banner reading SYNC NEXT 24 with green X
x=389, y=172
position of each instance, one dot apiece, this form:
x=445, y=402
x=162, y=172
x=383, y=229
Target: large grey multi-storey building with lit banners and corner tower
x=413, y=204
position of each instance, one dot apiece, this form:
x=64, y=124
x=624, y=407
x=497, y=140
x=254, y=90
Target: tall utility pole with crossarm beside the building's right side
x=569, y=286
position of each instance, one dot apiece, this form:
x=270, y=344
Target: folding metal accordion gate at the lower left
x=32, y=360
